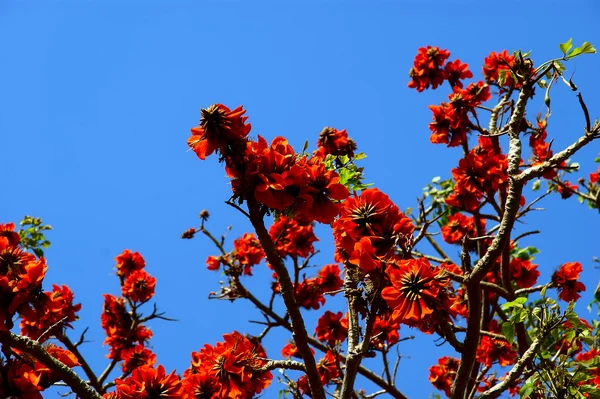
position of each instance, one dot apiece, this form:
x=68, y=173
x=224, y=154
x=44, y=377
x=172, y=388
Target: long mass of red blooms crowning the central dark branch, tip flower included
x=272, y=175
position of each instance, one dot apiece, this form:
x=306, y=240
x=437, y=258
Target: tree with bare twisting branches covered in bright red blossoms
x=511, y=333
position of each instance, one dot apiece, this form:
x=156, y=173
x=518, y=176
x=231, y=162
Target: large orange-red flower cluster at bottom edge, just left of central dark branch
x=230, y=369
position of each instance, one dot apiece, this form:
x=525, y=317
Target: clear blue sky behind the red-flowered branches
x=97, y=99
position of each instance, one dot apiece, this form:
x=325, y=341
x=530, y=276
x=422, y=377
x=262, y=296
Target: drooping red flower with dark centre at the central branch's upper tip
x=220, y=129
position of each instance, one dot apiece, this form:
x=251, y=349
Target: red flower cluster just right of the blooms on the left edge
x=47, y=311
